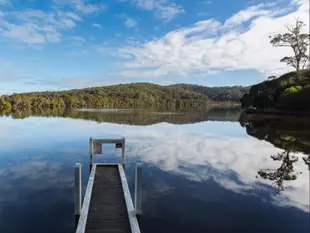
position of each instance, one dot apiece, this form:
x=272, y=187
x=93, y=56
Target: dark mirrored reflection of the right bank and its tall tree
x=288, y=133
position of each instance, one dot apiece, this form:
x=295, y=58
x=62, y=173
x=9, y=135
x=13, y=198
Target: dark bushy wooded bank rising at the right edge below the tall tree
x=288, y=93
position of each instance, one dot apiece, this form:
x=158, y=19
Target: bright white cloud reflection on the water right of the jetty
x=232, y=163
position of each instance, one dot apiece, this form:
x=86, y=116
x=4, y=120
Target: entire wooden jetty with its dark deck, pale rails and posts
x=107, y=205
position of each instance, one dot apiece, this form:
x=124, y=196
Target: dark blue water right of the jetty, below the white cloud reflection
x=174, y=203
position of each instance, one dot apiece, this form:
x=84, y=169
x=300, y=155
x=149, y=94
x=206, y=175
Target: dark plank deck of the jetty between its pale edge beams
x=107, y=210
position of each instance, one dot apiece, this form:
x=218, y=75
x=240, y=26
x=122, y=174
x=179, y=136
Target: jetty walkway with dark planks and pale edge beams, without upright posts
x=107, y=205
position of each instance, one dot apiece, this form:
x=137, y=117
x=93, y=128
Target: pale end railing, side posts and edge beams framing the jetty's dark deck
x=81, y=212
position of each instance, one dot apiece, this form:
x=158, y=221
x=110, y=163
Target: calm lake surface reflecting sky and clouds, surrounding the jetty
x=200, y=170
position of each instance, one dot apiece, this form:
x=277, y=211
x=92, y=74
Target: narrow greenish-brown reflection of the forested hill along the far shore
x=131, y=117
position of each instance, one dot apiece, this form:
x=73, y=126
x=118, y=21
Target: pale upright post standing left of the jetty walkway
x=77, y=189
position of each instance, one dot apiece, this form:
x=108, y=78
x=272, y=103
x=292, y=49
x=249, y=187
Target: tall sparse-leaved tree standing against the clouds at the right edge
x=298, y=41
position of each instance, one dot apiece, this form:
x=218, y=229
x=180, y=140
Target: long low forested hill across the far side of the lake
x=138, y=95
